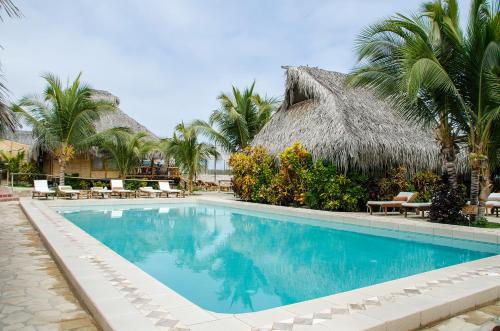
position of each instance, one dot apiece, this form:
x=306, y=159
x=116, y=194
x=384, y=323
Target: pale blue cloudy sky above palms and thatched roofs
x=168, y=60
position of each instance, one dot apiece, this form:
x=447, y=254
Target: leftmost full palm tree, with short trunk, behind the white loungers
x=63, y=121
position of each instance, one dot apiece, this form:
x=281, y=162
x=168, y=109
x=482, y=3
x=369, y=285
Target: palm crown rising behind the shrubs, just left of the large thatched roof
x=239, y=118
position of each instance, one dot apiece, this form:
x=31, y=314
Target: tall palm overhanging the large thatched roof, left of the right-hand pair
x=406, y=61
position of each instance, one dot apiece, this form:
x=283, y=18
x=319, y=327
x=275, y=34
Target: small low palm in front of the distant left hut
x=126, y=149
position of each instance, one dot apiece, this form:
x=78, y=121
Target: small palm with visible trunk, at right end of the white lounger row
x=188, y=152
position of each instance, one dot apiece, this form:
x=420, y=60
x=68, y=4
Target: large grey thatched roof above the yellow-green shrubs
x=349, y=126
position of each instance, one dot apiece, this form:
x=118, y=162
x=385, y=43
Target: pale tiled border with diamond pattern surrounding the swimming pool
x=123, y=297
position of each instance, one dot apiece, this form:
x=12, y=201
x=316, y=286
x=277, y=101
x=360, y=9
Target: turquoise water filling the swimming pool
x=232, y=261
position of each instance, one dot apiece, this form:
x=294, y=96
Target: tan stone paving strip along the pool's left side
x=33, y=293
